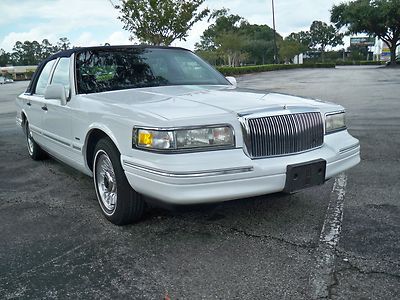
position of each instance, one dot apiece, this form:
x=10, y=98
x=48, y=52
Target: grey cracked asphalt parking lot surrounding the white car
x=337, y=241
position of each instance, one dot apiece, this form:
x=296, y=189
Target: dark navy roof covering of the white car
x=69, y=52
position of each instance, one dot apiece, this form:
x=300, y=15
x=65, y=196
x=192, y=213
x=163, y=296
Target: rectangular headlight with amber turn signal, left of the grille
x=185, y=139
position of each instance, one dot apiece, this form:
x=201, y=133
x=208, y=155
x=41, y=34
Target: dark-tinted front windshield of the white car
x=125, y=68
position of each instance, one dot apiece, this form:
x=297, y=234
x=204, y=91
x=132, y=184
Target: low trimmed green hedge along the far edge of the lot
x=227, y=71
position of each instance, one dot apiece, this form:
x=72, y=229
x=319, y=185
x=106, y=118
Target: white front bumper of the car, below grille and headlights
x=229, y=174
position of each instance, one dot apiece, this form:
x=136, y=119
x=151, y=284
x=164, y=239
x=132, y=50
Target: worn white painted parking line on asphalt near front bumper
x=321, y=277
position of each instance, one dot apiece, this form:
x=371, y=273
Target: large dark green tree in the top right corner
x=377, y=17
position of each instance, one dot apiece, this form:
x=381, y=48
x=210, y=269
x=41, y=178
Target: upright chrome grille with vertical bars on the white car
x=283, y=134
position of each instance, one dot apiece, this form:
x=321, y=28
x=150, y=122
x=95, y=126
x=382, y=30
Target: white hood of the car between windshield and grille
x=177, y=102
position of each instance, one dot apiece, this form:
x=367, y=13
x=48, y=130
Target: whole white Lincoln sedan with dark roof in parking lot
x=160, y=122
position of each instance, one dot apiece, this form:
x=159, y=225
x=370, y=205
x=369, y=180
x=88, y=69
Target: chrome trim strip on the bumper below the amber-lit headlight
x=189, y=174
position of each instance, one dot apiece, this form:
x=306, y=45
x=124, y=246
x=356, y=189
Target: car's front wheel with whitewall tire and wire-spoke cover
x=118, y=201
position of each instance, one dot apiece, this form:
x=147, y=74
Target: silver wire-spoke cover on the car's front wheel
x=105, y=182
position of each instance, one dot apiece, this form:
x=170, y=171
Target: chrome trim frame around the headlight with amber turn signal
x=184, y=150
